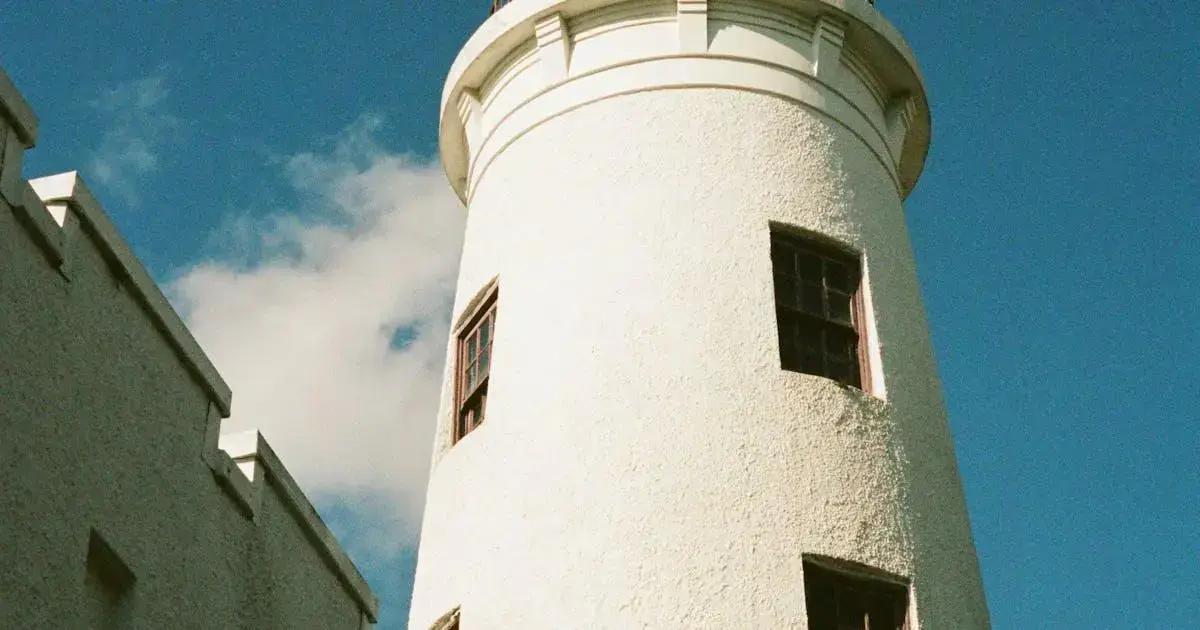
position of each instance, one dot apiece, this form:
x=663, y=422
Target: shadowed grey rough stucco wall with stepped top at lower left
x=105, y=428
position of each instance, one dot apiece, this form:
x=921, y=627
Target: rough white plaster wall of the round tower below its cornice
x=645, y=461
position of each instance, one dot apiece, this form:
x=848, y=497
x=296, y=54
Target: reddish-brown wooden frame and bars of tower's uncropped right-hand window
x=826, y=251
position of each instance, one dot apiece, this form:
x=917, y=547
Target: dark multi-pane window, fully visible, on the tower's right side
x=819, y=309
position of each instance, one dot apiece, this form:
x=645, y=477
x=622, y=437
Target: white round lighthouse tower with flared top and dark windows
x=691, y=382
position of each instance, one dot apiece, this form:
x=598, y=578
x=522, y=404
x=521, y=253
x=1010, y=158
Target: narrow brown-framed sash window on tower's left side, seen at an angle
x=475, y=367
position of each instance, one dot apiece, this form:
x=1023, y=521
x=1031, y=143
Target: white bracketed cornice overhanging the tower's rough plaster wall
x=844, y=33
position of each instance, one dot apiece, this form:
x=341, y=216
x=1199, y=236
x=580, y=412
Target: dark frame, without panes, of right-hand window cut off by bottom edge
x=865, y=583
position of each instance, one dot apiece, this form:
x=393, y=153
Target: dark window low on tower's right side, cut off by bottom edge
x=855, y=601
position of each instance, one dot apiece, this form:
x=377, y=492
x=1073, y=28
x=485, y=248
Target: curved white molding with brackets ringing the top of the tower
x=818, y=52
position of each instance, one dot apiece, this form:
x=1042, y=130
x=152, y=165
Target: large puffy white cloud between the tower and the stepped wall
x=302, y=320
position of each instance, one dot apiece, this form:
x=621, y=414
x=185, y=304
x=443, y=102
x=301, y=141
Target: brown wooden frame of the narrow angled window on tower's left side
x=471, y=400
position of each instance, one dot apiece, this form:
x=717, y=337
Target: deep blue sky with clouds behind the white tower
x=250, y=151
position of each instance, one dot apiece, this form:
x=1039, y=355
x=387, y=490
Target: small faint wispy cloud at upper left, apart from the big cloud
x=139, y=125
